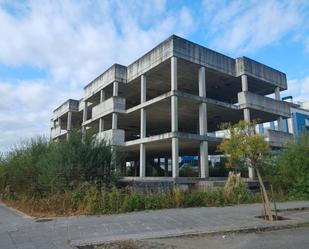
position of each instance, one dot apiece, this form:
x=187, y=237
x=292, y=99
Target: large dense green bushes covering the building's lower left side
x=38, y=168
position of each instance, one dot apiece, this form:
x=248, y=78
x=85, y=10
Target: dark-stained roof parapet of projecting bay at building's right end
x=260, y=71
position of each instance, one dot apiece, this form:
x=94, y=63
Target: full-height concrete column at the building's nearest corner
x=174, y=118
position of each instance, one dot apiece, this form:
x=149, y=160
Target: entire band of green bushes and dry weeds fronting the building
x=78, y=177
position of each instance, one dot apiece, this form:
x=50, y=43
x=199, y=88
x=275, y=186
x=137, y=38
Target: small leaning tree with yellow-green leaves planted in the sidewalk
x=244, y=147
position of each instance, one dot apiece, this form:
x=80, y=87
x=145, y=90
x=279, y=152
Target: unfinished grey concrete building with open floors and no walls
x=170, y=103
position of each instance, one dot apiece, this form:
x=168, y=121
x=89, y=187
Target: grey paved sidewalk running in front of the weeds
x=19, y=231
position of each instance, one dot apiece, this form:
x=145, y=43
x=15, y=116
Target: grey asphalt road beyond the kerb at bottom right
x=282, y=239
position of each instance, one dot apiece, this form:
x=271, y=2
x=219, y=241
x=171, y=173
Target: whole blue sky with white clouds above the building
x=49, y=50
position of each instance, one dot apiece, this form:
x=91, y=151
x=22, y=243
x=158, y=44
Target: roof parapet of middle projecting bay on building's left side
x=114, y=73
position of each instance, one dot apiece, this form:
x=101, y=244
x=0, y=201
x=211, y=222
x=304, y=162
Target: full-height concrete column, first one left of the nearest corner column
x=143, y=128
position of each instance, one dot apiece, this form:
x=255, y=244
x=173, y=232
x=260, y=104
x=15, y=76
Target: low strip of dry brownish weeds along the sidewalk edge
x=88, y=199
